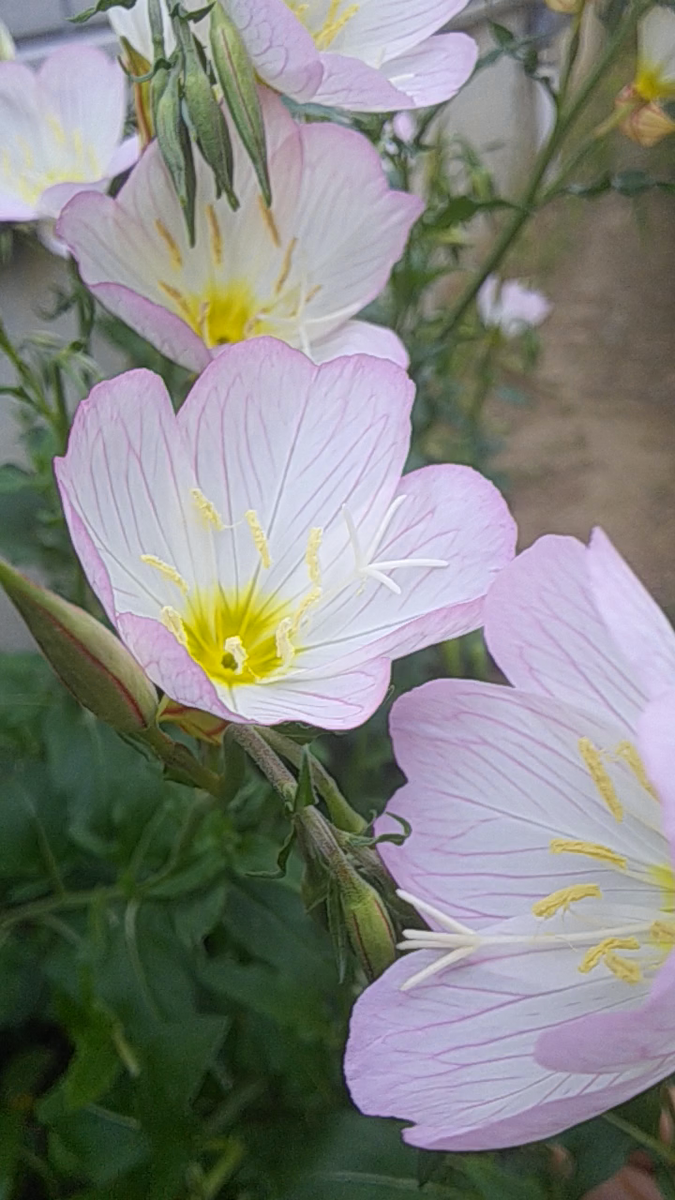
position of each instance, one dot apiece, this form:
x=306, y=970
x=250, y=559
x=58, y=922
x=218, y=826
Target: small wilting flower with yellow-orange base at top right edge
x=647, y=121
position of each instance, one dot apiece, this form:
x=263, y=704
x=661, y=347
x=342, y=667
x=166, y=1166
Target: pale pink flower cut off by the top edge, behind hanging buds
x=374, y=57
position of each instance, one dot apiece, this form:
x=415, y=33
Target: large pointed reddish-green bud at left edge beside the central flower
x=88, y=658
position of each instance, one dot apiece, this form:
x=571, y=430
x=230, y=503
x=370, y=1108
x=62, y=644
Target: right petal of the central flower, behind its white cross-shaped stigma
x=451, y=514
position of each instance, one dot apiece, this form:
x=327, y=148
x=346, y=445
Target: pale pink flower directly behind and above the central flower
x=297, y=272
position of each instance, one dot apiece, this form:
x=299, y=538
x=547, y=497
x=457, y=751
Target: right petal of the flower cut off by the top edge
x=434, y=71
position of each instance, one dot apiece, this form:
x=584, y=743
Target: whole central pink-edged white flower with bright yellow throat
x=260, y=554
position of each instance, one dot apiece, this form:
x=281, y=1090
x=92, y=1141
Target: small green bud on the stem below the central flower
x=355, y=908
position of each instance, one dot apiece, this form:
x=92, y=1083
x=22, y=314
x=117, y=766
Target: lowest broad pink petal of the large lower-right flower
x=457, y=1054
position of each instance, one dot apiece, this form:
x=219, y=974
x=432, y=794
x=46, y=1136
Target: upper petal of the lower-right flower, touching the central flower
x=545, y=632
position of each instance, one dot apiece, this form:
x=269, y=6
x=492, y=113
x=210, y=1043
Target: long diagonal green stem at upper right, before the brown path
x=528, y=203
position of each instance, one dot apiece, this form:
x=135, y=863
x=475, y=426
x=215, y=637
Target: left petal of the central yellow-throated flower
x=128, y=477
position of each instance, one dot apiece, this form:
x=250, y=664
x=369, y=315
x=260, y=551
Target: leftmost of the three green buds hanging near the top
x=175, y=141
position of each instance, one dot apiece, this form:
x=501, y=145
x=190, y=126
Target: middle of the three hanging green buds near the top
x=206, y=116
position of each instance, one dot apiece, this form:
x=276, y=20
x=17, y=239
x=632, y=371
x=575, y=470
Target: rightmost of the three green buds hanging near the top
x=237, y=79
